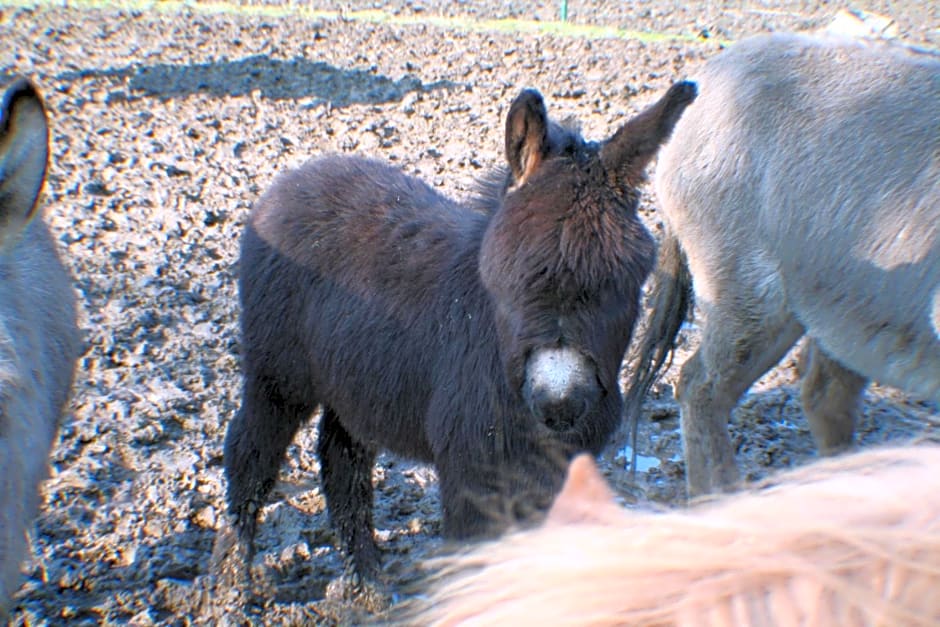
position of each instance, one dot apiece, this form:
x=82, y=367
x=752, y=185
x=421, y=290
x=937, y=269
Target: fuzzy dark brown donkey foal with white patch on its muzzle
x=485, y=339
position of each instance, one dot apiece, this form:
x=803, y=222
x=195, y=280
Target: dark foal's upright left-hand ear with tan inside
x=526, y=134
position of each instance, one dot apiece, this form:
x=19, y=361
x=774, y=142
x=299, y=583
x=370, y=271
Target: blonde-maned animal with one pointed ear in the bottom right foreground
x=844, y=542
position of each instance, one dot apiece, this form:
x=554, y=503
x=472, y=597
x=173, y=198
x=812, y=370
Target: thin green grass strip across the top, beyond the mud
x=464, y=24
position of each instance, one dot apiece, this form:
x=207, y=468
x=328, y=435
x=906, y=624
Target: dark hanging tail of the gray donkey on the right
x=669, y=304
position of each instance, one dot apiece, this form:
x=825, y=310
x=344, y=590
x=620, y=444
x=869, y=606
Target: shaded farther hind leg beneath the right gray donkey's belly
x=831, y=396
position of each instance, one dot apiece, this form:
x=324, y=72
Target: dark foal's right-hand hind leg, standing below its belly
x=346, y=475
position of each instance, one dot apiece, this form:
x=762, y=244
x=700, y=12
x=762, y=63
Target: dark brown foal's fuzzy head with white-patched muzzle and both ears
x=564, y=257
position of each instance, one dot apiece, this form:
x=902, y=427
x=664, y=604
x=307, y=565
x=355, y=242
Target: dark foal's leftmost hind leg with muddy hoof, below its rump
x=255, y=444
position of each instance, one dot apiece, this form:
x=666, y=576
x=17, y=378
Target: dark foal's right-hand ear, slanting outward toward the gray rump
x=633, y=146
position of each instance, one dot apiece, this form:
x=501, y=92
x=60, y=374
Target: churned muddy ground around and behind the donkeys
x=167, y=124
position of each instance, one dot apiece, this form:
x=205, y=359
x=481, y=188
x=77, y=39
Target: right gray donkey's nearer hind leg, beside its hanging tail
x=738, y=346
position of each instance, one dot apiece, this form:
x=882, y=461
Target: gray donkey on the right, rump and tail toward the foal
x=800, y=193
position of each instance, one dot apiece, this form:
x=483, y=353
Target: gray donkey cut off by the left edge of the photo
x=39, y=338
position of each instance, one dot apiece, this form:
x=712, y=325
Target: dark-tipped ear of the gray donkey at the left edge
x=24, y=151
